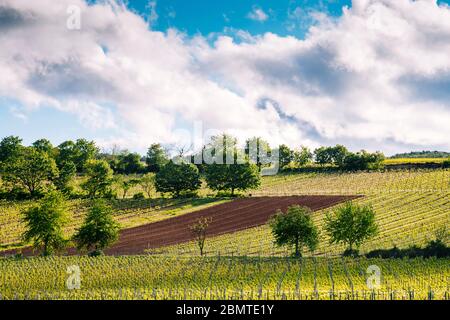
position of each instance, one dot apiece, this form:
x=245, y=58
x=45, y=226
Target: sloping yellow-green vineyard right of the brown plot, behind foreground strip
x=410, y=206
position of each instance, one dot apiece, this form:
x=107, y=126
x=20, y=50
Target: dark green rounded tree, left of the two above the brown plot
x=177, y=178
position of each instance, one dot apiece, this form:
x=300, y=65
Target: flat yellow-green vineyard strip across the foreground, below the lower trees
x=147, y=277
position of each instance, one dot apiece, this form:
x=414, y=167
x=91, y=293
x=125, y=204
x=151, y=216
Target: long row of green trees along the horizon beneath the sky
x=31, y=171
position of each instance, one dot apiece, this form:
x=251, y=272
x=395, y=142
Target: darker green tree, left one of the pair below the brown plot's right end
x=295, y=228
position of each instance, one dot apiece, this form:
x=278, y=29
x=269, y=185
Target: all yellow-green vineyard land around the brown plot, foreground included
x=409, y=205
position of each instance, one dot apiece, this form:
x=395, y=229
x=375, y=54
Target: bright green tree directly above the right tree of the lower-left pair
x=99, y=178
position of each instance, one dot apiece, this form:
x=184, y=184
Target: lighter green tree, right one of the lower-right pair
x=351, y=225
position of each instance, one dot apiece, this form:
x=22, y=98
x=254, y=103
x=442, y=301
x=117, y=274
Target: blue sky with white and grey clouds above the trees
x=372, y=74
